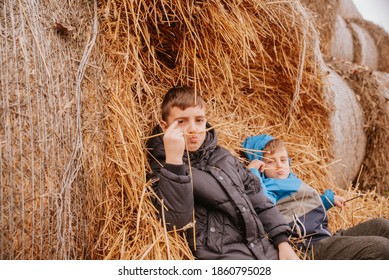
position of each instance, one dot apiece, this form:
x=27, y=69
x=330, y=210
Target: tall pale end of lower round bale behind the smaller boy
x=349, y=142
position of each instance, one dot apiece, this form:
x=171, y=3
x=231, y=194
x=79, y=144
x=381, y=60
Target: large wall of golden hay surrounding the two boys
x=81, y=86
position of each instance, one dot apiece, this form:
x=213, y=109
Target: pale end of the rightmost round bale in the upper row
x=365, y=49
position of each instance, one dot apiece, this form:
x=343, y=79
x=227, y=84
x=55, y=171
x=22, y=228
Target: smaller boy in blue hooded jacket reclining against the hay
x=305, y=210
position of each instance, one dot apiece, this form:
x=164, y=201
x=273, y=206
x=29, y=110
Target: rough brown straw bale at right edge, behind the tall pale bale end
x=370, y=91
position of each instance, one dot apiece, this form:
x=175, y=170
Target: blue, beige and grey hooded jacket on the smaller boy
x=301, y=205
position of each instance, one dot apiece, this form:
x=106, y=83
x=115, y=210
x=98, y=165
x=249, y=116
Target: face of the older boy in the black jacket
x=192, y=122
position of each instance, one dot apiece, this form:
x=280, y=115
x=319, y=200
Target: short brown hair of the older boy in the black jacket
x=181, y=97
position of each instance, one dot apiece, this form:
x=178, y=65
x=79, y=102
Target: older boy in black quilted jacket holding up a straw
x=200, y=183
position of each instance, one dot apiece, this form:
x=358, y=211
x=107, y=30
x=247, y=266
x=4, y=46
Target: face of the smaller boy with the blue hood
x=277, y=164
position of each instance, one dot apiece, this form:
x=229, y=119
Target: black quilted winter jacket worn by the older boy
x=233, y=219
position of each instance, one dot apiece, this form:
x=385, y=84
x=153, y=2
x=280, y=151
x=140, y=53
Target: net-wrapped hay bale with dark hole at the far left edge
x=46, y=206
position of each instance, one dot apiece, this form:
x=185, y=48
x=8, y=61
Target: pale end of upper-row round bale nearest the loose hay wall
x=341, y=44
